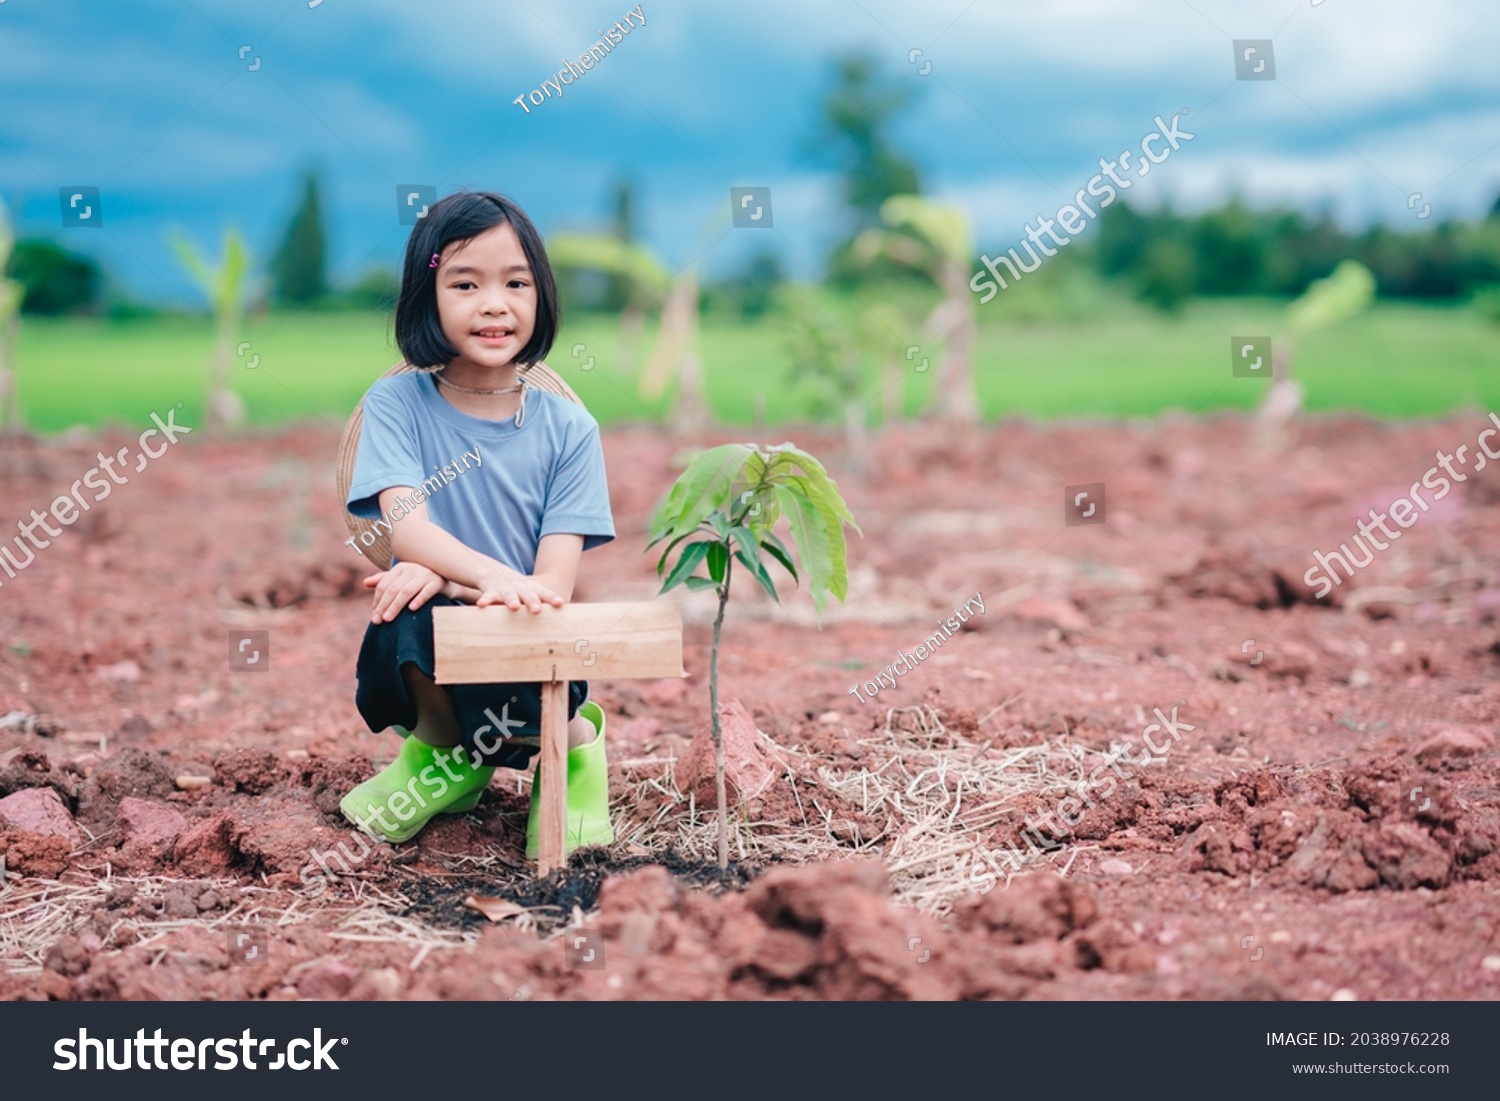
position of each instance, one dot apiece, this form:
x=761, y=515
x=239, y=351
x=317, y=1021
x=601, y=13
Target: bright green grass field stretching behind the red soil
x=1397, y=361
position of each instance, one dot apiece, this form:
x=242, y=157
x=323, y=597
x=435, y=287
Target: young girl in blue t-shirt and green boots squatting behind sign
x=494, y=491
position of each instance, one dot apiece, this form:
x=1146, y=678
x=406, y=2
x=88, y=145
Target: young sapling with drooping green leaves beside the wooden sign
x=724, y=509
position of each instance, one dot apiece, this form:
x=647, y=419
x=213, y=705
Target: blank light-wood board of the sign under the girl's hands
x=575, y=643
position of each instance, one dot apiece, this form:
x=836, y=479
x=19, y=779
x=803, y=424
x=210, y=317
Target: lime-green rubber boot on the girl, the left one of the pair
x=419, y=785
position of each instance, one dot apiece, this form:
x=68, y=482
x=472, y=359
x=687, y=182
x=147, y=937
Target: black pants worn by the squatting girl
x=502, y=724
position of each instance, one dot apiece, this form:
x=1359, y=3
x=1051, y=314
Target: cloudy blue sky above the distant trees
x=152, y=103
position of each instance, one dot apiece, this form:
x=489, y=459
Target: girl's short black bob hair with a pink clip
x=460, y=218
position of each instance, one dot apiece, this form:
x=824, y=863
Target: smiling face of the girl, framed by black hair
x=487, y=298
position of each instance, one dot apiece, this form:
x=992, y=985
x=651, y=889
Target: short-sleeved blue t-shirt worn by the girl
x=494, y=487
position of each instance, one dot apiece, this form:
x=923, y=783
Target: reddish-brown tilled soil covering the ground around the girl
x=1330, y=823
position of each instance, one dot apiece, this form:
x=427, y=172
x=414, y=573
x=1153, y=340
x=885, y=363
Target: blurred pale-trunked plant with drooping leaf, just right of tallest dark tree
x=937, y=241
